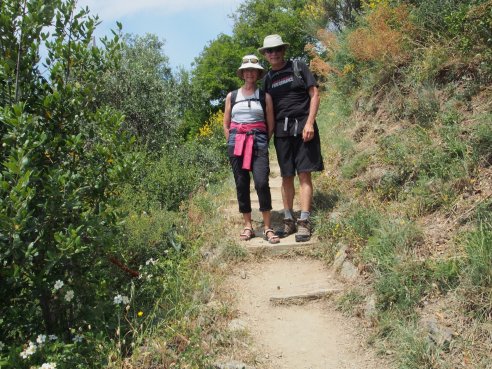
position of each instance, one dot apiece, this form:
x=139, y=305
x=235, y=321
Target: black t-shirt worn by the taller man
x=290, y=97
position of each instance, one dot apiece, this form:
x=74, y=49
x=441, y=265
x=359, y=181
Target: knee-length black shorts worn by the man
x=296, y=156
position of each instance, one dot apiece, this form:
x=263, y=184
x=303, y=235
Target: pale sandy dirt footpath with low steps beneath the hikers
x=284, y=304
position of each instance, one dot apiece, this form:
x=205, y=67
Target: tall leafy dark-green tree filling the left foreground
x=62, y=160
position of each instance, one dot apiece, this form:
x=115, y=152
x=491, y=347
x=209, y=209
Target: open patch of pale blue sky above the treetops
x=186, y=26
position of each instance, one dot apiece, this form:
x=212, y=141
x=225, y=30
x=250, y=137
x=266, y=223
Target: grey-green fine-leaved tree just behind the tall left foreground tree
x=143, y=88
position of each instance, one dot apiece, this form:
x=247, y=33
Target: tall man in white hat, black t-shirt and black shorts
x=296, y=101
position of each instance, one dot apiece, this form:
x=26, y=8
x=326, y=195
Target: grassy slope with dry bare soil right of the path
x=411, y=197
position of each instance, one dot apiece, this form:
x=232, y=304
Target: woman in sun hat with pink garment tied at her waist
x=248, y=126
